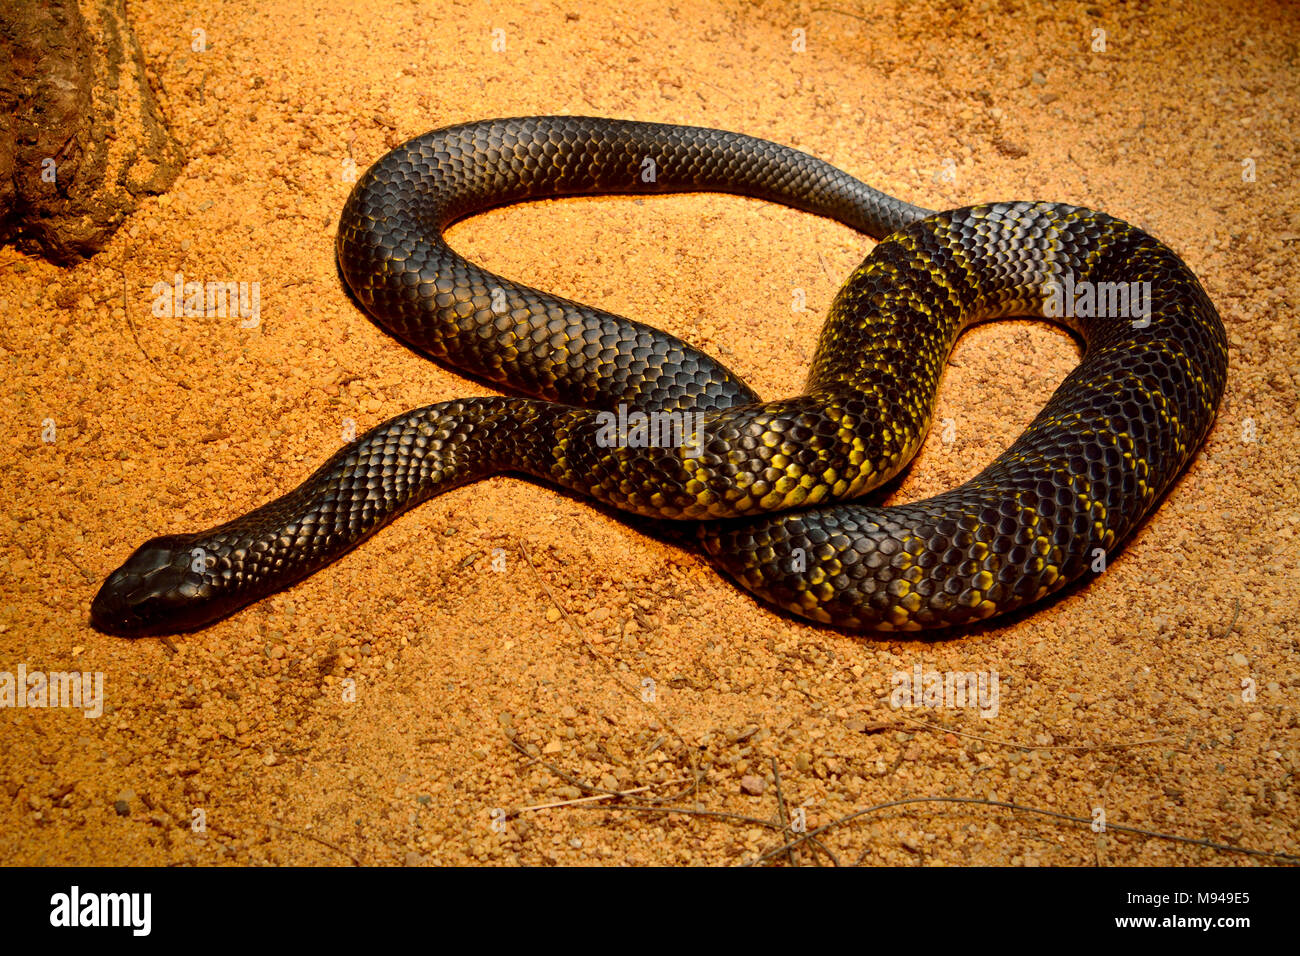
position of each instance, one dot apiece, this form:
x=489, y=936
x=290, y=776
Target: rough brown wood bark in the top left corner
x=83, y=140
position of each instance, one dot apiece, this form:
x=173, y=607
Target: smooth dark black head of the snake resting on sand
x=155, y=591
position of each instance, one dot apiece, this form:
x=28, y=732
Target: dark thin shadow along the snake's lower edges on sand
x=682, y=534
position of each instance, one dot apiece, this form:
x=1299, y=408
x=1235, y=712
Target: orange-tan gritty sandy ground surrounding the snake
x=402, y=706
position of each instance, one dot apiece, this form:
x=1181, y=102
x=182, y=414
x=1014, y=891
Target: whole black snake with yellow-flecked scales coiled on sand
x=772, y=487
